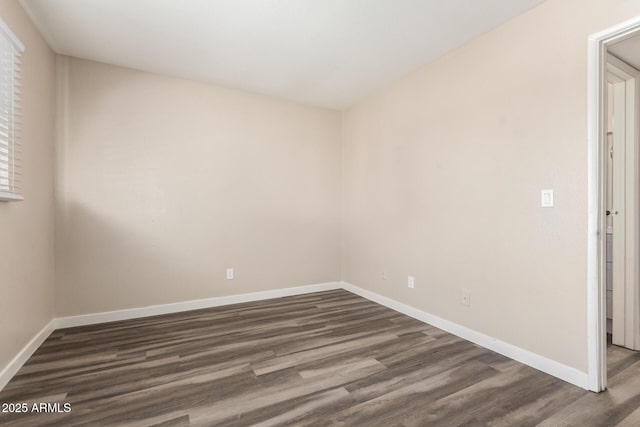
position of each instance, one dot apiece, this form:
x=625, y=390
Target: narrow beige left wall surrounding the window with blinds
x=26, y=228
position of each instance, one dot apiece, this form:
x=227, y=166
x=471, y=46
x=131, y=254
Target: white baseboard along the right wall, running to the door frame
x=551, y=367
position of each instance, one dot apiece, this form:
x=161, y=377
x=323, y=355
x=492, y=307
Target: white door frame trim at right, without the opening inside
x=596, y=289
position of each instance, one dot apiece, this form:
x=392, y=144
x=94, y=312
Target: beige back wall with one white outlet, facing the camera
x=164, y=183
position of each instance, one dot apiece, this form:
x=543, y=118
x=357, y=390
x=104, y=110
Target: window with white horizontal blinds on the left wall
x=10, y=177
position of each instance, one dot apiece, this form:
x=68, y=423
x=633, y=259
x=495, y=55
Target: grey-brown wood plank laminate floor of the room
x=330, y=358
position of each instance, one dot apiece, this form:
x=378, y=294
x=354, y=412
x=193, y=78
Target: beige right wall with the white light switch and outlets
x=443, y=172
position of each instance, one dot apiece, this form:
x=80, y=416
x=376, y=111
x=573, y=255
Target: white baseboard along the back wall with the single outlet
x=154, y=310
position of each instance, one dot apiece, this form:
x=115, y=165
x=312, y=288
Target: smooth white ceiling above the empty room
x=328, y=53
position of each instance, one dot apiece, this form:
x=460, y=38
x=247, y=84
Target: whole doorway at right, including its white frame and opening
x=614, y=214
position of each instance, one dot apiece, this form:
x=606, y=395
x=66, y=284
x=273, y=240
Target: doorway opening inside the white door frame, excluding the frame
x=621, y=194
